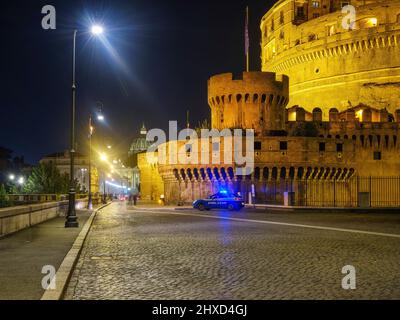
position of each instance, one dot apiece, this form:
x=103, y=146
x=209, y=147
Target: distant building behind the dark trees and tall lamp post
x=61, y=160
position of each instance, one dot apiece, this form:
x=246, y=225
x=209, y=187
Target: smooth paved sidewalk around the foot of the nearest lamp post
x=23, y=255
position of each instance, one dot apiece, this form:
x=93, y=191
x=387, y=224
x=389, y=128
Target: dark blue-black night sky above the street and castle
x=164, y=52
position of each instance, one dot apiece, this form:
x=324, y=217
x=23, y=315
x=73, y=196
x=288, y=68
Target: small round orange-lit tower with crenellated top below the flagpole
x=255, y=101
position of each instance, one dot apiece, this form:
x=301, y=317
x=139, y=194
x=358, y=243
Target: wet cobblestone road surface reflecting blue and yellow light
x=138, y=254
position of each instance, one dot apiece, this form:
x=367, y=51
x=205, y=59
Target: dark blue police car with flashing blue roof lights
x=220, y=200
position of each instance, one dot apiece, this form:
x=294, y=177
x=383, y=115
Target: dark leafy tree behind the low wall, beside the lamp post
x=47, y=179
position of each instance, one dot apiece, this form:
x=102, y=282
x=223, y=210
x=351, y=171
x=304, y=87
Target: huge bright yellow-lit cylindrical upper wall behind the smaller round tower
x=329, y=66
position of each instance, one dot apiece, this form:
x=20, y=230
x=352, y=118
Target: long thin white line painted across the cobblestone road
x=390, y=235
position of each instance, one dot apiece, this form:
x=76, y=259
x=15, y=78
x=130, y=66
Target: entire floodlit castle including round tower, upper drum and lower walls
x=324, y=109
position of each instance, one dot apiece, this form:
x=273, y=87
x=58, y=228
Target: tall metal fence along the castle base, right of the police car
x=375, y=192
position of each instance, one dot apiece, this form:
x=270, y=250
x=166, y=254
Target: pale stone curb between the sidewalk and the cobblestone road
x=66, y=268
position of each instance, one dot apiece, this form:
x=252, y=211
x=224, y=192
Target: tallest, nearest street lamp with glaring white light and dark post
x=72, y=220
